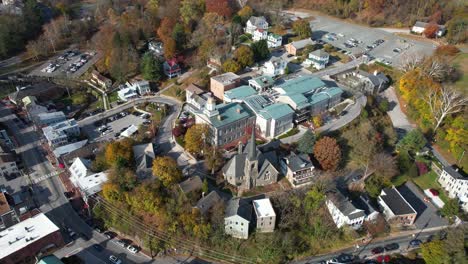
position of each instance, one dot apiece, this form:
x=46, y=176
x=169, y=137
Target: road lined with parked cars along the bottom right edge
x=364, y=251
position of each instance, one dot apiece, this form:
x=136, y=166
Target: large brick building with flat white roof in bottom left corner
x=22, y=242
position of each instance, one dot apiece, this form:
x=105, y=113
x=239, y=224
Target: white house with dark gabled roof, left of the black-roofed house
x=344, y=212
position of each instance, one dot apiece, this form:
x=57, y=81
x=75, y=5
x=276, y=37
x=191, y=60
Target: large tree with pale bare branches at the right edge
x=444, y=102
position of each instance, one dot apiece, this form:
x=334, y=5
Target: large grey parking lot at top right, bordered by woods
x=355, y=39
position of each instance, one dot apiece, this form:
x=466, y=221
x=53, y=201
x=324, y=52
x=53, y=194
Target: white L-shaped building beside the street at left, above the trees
x=87, y=182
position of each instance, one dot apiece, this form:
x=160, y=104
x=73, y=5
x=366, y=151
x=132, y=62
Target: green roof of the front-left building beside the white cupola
x=230, y=113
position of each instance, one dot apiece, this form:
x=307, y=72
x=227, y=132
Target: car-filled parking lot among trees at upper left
x=70, y=64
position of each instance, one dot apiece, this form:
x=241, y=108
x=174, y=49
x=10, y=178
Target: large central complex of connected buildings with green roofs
x=272, y=108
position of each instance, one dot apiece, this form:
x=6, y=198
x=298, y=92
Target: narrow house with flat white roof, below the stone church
x=265, y=215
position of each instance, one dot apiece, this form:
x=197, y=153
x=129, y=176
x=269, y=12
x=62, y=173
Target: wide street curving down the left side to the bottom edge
x=49, y=198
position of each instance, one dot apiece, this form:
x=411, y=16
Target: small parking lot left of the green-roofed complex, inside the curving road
x=110, y=128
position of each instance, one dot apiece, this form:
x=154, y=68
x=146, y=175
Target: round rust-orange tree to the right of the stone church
x=328, y=153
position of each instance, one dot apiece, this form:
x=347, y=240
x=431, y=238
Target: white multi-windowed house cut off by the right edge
x=456, y=185
